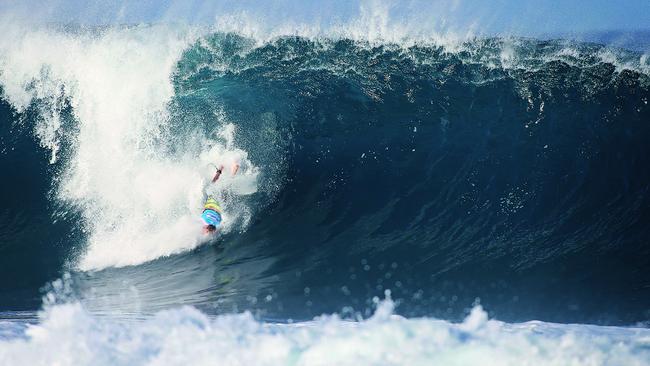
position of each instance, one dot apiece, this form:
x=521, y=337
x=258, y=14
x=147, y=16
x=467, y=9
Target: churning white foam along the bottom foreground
x=68, y=335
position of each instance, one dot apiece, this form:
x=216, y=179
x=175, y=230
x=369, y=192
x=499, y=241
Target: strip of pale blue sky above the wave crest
x=520, y=17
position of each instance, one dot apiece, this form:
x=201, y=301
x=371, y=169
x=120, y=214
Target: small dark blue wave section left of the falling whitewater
x=33, y=248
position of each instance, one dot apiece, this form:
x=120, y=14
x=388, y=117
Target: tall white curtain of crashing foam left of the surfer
x=139, y=201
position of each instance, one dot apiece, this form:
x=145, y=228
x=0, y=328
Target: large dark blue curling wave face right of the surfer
x=443, y=178
